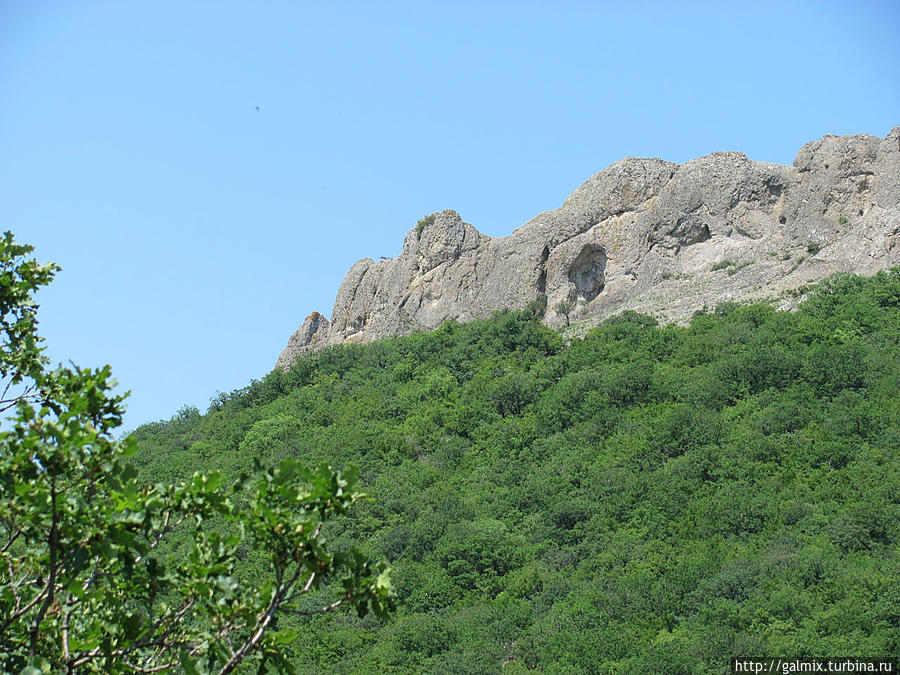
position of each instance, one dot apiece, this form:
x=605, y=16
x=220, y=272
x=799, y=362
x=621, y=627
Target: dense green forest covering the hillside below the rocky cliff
x=646, y=499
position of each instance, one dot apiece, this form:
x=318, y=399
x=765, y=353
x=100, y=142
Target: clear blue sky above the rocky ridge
x=196, y=233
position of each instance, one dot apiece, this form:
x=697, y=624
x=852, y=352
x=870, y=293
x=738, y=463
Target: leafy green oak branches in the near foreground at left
x=101, y=573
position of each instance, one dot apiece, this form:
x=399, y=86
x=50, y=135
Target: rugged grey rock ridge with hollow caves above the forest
x=643, y=234
